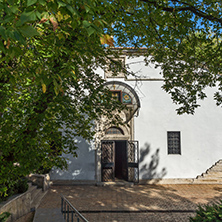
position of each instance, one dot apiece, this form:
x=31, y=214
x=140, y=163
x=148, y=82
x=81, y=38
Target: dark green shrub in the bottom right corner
x=208, y=213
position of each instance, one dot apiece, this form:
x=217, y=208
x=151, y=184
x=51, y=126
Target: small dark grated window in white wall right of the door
x=173, y=140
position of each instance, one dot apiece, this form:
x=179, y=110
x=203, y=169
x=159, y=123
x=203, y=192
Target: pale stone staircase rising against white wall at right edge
x=212, y=176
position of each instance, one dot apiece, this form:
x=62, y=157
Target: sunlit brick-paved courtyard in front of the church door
x=139, y=203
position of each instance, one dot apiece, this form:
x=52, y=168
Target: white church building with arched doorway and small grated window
x=154, y=144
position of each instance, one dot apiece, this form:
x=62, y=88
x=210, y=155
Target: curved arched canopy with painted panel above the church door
x=127, y=95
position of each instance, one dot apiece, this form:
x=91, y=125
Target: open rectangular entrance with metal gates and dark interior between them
x=119, y=160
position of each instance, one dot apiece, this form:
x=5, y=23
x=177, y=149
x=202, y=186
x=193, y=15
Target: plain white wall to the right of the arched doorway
x=201, y=141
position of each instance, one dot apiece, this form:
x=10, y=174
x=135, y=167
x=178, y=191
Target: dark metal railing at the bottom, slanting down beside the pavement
x=69, y=212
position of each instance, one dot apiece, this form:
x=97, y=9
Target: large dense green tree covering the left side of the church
x=50, y=92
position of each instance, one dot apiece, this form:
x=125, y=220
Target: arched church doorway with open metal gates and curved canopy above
x=118, y=154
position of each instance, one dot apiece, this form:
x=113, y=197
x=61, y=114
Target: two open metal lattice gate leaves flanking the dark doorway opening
x=108, y=161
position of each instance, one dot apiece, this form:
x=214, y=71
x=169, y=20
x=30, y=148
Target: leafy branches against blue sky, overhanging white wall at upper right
x=184, y=38
